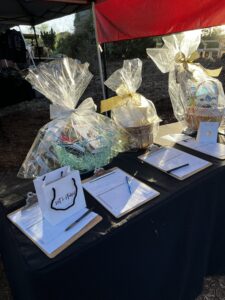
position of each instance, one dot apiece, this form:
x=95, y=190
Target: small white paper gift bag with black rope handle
x=60, y=194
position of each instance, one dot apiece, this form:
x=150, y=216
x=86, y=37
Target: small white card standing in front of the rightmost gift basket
x=207, y=132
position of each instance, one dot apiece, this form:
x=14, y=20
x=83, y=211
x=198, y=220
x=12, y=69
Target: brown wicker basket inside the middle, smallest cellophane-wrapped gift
x=142, y=136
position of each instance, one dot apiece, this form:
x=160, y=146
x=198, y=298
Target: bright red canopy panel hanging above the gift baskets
x=128, y=19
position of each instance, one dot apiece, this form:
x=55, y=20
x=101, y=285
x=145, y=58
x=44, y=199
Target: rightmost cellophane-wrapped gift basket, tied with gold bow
x=195, y=95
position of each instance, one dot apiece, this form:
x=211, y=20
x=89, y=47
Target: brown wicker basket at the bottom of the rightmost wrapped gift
x=194, y=116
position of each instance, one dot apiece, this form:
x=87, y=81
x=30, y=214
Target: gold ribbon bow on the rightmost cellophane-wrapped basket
x=180, y=58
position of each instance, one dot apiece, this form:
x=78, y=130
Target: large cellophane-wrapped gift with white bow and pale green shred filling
x=76, y=136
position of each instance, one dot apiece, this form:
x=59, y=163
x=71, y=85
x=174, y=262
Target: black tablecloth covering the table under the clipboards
x=161, y=250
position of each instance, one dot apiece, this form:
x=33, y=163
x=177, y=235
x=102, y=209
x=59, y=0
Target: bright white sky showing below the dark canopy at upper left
x=59, y=25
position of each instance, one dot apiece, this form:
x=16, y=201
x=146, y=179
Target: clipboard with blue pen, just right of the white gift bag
x=118, y=191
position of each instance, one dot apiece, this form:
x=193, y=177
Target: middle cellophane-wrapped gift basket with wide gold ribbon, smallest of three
x=136, y=114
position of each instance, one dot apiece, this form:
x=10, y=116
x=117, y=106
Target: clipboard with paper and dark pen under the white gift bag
x=61, y=238
